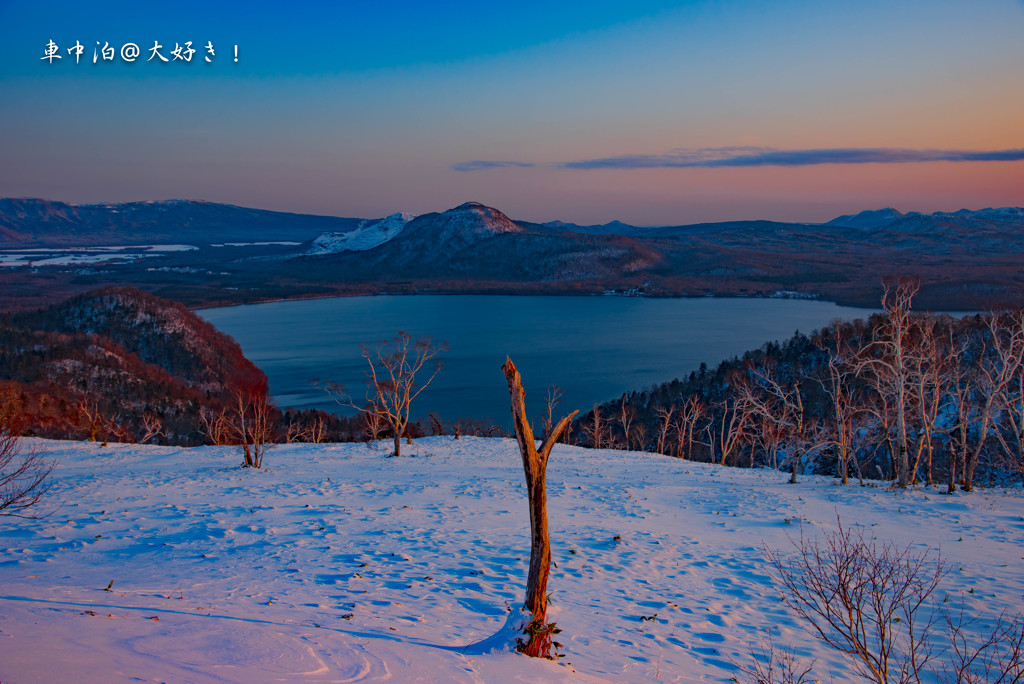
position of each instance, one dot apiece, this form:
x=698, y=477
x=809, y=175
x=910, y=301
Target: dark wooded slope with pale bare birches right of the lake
x=903, y=396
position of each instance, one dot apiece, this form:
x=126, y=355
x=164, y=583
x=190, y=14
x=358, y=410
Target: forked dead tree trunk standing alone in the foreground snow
x=535, y=464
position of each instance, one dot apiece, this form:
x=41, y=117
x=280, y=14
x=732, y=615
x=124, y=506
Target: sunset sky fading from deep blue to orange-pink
x=648, y=112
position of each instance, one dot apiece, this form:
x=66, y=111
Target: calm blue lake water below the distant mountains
x=595, y=349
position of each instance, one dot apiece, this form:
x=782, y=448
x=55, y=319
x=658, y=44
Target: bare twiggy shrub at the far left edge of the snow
x=25, y=475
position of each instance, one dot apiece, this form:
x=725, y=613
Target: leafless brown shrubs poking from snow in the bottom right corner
x=873, y=603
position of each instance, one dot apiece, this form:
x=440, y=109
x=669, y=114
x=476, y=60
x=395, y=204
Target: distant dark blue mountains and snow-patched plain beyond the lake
x=967, y=259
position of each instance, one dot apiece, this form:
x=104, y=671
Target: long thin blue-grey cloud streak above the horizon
x=754, y=157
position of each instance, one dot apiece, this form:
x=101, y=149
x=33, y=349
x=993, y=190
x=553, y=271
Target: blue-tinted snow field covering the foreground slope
x=336, y=564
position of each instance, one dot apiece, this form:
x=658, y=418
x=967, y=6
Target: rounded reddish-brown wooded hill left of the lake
x=120, y=364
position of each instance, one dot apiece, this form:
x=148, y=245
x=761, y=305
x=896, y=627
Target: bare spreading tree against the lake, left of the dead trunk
x=392, y=381
